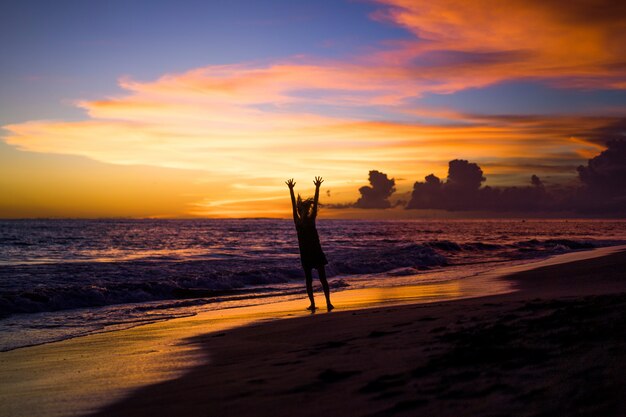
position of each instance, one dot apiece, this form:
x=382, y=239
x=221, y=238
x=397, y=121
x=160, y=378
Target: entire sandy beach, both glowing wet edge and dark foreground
x=554, y=346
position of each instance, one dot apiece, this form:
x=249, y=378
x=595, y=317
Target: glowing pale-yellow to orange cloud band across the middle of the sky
x=160, y=125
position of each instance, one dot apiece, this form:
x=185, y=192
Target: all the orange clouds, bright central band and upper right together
x=257, y=124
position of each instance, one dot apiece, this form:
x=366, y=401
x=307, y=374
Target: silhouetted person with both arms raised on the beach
x=311, y=254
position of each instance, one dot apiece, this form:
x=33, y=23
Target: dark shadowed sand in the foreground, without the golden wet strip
x=556, y=347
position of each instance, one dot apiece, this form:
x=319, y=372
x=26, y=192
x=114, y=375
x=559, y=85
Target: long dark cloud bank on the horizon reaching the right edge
x=601, y=190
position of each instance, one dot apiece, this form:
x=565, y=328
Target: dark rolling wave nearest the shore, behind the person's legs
x=99, y=284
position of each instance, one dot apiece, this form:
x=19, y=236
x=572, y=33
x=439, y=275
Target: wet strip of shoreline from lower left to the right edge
x=180, y=342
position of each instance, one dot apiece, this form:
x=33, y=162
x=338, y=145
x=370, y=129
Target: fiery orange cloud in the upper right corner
x=473, y=44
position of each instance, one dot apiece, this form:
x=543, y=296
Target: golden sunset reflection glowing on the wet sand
x=85, y=373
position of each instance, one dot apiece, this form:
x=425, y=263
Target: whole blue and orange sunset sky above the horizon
x=204, y=108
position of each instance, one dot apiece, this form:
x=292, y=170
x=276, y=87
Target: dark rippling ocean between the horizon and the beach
x=67, y=278
